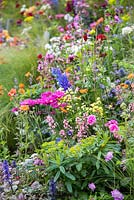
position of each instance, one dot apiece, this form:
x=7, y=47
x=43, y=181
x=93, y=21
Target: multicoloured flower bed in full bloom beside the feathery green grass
x=70, y=129
